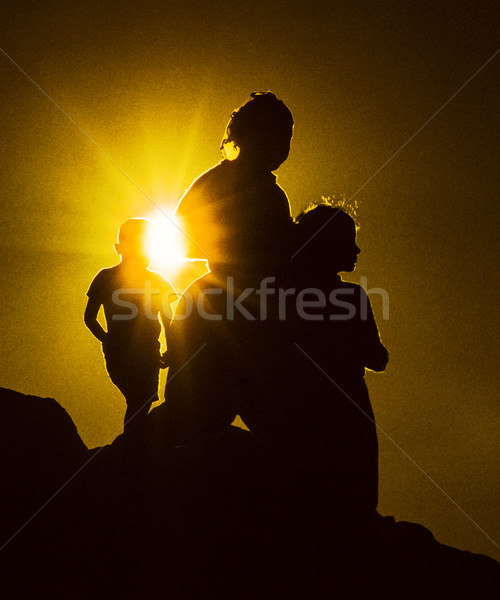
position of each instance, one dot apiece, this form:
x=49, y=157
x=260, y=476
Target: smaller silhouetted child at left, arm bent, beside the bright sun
x=133, y=298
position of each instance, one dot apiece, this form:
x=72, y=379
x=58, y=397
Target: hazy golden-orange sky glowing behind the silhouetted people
x=153, y=85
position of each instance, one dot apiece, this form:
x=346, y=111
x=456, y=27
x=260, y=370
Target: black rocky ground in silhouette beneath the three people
x=218, y=519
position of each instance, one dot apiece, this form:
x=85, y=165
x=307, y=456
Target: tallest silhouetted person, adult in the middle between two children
x=237, y=217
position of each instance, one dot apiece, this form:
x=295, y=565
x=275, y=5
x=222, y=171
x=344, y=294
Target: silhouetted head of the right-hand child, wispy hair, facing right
x=327, y=238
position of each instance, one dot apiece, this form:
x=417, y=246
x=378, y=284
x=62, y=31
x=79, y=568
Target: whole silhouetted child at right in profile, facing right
x=338, y=335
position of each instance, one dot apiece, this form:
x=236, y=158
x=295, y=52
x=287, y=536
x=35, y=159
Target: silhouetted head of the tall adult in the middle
x=259, y=132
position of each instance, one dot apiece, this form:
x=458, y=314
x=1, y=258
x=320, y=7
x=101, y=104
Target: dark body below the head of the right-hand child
x=334, y=349
